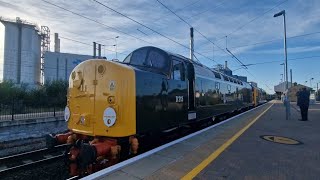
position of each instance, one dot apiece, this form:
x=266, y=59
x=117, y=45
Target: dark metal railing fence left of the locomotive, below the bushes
x=16, y=111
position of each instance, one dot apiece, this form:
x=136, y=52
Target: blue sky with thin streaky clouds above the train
x=246, y=22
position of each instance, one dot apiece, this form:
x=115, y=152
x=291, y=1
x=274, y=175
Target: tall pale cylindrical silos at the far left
x=20, y=51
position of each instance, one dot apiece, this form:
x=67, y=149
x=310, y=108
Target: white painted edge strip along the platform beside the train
x=115, y=167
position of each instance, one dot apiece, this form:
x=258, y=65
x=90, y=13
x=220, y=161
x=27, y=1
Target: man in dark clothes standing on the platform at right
x=303, y=97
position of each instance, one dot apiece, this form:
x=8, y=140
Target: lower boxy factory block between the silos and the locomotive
x=58, y=66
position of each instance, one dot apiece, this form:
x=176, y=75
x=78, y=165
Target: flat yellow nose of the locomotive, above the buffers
x=101, y=99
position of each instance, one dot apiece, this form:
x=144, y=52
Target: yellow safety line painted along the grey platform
x=195, y=171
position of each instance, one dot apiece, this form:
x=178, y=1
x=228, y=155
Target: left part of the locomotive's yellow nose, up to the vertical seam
x=81, y=98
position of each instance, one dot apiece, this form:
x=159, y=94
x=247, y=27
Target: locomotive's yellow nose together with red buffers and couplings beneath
x=101, y=114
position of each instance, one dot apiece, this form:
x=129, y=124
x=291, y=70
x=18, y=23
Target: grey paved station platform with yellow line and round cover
x=258, y=144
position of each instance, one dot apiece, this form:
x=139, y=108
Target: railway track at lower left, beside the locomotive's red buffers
x=31, y=158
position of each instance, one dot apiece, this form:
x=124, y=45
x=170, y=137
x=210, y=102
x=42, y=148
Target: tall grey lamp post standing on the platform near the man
x=287, y=100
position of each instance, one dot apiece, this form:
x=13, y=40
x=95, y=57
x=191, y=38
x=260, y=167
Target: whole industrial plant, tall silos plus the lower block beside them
x=25, y=55
